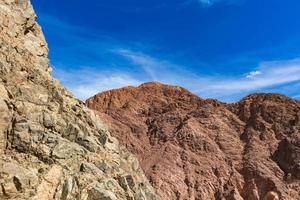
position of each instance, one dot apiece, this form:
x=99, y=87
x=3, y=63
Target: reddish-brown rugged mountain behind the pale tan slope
x=192, y=148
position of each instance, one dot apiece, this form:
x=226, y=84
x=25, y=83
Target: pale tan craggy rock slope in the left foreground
x=51, y=145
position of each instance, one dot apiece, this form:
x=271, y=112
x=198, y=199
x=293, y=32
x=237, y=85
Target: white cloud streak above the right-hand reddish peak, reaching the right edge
x=271, y=74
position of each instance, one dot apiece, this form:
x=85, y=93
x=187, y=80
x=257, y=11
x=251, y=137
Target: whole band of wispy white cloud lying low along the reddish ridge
x=268, y=75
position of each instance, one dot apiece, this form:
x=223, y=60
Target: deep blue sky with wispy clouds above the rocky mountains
x=222, y=49
